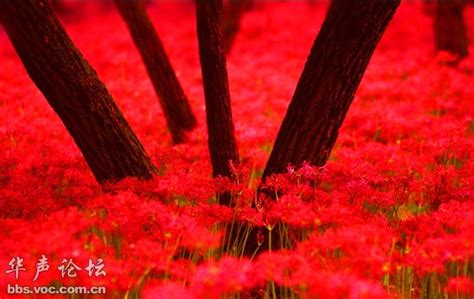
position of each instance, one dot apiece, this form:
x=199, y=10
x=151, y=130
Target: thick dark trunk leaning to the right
x=326, y=88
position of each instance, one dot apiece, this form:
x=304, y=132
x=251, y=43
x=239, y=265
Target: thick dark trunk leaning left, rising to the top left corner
x=73, y=90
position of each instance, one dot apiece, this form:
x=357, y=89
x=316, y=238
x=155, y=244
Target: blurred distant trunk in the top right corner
x=449, y=28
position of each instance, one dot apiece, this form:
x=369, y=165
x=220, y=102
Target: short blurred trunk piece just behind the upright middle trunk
x=233, y=11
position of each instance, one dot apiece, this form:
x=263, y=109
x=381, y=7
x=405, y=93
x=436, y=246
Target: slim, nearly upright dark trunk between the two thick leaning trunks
x=222, y=144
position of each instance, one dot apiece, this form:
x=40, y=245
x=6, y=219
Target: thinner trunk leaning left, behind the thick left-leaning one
x=175, y=105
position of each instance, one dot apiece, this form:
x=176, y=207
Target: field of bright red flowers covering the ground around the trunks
x=390, y=215
